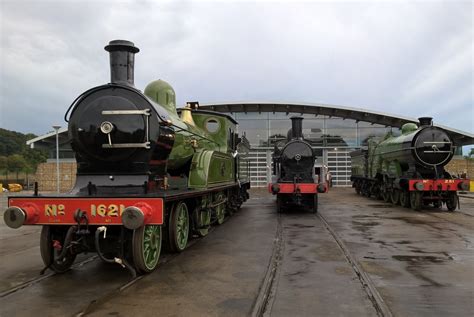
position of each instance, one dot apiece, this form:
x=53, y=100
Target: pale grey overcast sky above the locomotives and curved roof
x=412, y=58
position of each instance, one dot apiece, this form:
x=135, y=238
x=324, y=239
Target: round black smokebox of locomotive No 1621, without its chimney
x=87, y=139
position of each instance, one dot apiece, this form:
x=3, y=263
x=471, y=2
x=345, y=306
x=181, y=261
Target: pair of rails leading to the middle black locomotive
x=265, y=298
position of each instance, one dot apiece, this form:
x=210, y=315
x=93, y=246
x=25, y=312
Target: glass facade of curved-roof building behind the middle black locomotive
x=334, y=137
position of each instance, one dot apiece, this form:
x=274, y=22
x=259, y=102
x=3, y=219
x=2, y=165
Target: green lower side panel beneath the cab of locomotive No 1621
x=211, y=168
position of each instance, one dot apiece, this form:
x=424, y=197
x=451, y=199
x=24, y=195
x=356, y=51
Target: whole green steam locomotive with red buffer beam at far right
x=408, y=169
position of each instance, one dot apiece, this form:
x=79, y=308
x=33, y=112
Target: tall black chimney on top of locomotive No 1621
x=122, y=61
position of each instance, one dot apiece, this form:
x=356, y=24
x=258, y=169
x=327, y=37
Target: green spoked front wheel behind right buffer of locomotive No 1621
x=146, y=247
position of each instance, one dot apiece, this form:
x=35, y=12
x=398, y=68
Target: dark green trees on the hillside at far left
x=15, y=155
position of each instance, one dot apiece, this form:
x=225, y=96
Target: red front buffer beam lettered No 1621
x=100, y=211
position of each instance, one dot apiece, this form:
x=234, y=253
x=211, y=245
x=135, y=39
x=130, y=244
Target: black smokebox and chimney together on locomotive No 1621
x=115, y=127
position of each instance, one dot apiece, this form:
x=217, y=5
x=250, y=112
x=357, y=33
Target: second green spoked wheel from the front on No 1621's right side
x=178, y=227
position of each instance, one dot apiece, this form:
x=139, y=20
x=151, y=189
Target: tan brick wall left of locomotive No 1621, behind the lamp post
x=46, y=176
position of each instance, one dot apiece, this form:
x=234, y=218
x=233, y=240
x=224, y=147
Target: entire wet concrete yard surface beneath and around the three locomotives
x=422, y=263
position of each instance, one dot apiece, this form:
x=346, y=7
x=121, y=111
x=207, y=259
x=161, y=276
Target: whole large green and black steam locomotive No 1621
x=146, y=173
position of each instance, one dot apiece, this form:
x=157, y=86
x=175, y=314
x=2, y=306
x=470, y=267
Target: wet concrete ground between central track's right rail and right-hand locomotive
x=422, y=263
